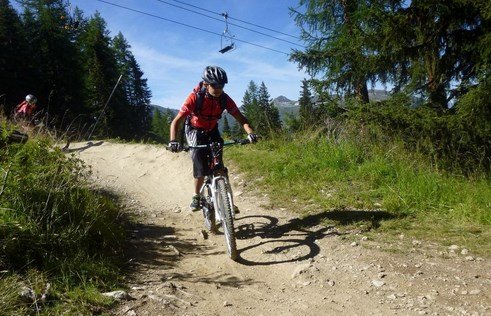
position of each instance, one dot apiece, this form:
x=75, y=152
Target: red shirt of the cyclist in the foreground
x=210, y=111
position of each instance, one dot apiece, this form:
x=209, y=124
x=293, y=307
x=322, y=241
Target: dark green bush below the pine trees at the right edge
x=458, y=140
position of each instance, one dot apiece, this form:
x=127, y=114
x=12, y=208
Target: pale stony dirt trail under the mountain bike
x=287, y=266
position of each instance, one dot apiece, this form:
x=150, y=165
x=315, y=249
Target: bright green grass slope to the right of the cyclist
x=335, y=177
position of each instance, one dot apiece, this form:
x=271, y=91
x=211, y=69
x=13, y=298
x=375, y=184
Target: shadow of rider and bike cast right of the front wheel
x=296, y=240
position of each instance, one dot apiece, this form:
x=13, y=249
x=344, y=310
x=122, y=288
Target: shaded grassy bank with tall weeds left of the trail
x=60, y=239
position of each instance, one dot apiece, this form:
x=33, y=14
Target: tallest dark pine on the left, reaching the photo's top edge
x=54, y=71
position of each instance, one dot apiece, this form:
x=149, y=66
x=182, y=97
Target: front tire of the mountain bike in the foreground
x=225, y=206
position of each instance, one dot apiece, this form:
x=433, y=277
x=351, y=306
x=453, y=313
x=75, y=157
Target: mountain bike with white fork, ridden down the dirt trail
x=216, y=194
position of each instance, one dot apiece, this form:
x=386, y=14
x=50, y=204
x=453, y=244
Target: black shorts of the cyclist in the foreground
x=201, y=157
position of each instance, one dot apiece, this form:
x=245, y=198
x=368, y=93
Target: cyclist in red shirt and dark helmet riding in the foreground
x=202, y=123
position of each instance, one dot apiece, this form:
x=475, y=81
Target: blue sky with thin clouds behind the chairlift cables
x=173, y=54
